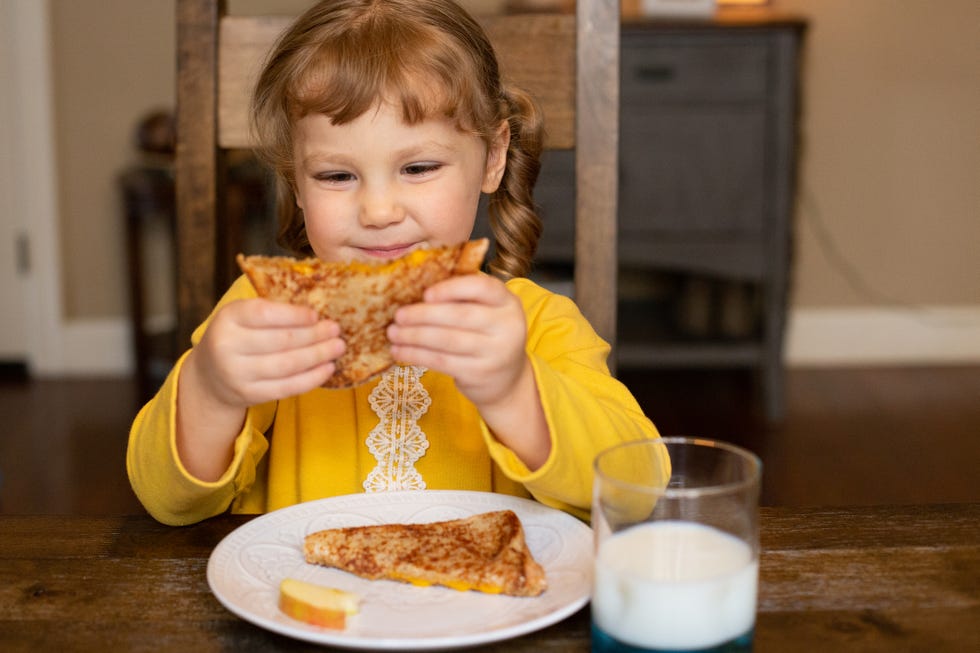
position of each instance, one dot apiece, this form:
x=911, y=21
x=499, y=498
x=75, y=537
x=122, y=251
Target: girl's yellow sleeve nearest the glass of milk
x=586, y=408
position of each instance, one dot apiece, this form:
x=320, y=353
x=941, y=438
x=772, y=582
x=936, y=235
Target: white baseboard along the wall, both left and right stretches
x=815, y=337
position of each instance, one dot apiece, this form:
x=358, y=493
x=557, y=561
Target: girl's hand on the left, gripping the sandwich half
x=256, y=350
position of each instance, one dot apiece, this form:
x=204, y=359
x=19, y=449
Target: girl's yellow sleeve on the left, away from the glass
x=165, y=488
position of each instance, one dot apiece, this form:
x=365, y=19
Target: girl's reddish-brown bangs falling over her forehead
x=419, y=71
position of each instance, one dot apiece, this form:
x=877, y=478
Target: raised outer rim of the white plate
x=423, y=498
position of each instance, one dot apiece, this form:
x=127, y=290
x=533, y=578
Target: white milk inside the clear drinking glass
x=674, y=586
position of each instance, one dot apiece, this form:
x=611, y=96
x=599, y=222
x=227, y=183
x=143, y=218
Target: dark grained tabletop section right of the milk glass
x=900, y=578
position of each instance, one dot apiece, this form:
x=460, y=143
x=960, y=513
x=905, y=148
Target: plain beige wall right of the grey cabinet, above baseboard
x=891, y=151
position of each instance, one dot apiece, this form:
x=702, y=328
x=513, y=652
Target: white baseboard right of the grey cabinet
x=883, y=336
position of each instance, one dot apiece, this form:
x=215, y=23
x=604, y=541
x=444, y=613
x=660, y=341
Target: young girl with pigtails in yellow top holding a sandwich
x=384, y=121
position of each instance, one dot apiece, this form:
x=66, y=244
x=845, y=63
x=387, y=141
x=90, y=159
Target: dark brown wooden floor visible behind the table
x=850, y=436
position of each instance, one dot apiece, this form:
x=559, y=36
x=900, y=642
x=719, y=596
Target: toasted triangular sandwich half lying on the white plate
x=485, y=552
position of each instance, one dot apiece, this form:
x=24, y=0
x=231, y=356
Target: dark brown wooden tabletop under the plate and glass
x=849, y=579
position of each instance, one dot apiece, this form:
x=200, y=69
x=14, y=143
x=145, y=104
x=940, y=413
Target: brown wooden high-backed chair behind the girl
x=218, y=56
